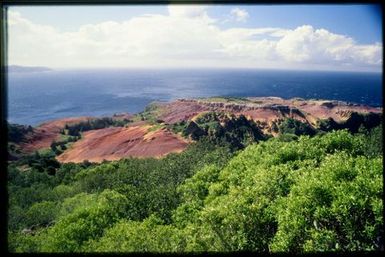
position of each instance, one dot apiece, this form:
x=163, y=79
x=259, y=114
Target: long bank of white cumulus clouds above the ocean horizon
x=186, y=37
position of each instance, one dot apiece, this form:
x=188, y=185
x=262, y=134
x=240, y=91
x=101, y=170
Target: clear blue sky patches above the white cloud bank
x=362, y=22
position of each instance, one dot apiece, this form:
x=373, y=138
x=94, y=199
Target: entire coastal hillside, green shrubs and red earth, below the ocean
x=216, y=174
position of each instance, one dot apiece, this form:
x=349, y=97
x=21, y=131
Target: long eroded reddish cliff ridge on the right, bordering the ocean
x=264, y=109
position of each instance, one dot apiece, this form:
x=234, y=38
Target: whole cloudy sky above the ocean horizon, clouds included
x=304, y=37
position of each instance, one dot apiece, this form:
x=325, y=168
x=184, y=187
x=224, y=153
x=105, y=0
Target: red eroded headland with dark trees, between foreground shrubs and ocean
x=164, y=128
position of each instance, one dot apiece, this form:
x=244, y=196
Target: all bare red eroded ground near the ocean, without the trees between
x=146, y=139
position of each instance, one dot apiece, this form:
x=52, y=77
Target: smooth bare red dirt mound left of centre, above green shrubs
x=115, y=143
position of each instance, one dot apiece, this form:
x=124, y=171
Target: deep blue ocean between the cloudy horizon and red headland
x=35, y=97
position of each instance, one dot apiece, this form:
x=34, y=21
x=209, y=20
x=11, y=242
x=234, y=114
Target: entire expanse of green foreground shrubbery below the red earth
x=285, y=194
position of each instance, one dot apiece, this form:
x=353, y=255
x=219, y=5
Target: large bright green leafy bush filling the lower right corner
x=276, y=196
